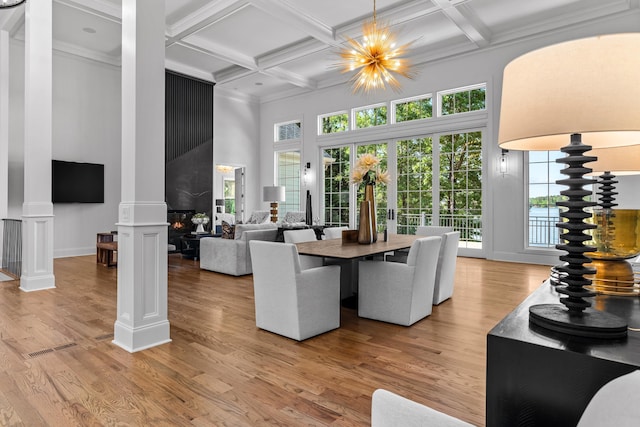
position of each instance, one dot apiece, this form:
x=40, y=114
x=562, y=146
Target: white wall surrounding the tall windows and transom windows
x=504, y=196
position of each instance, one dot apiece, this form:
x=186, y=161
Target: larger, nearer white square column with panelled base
x=142, y=225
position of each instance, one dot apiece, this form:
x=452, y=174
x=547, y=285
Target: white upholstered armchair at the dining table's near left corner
x=290, y=301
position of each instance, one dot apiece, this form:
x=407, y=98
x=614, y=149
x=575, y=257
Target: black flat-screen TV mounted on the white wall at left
x=73, y=182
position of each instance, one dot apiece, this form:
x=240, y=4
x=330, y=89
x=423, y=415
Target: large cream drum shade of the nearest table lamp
x=587, y=86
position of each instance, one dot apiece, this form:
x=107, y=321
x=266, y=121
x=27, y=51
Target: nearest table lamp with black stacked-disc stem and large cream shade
x=555, y=98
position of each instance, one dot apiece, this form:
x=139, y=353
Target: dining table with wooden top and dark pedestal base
x=347, y=255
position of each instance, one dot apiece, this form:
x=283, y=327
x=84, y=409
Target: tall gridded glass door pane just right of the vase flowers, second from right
x=415, y=187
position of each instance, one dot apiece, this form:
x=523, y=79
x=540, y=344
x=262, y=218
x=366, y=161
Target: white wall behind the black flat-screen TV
x=86, y=128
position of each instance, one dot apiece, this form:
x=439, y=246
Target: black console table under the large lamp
x=540, y=378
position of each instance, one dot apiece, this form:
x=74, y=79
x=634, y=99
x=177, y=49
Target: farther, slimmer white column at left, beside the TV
x=37, y=209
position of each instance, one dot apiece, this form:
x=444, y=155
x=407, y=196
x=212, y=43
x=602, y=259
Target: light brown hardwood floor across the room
x=58, y=366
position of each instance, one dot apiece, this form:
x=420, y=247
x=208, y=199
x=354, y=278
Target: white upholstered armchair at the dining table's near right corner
x=397, y=292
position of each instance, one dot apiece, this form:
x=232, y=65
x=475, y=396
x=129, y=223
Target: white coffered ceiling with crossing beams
x=265, y=49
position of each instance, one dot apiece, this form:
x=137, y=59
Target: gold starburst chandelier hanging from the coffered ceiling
x=377, y=58
